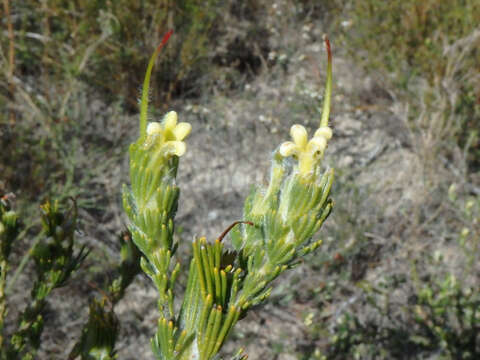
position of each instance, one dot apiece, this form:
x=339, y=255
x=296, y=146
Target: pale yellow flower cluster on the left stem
x=169, y=134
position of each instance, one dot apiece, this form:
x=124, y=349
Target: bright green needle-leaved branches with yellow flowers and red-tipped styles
x=279, y=224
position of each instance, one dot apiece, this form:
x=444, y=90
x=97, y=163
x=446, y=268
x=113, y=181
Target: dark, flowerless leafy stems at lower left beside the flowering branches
x=55, y=261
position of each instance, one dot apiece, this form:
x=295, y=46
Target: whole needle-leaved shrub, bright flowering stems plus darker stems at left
x=277, y=231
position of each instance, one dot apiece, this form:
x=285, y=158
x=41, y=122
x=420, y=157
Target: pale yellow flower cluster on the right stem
x=308, y=152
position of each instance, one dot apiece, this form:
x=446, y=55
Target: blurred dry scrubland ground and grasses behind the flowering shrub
x=398, y=274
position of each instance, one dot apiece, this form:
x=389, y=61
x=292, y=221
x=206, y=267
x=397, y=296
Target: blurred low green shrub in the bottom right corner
x=434, y=309
